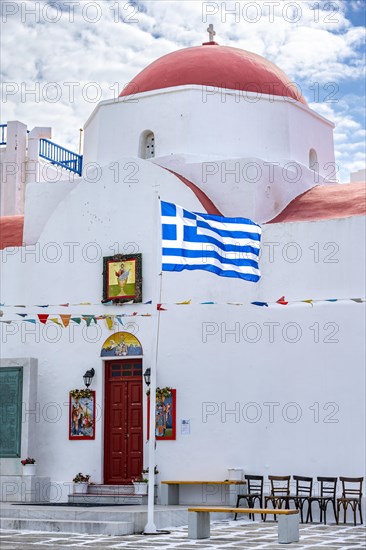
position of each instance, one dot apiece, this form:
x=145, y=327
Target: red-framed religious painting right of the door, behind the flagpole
x=165, y=414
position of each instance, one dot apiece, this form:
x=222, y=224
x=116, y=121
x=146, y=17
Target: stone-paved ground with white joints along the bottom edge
x=224, y=534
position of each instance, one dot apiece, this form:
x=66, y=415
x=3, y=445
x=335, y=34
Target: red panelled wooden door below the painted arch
x=123, y=421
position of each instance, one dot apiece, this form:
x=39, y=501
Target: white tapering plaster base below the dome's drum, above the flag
x=246, y=187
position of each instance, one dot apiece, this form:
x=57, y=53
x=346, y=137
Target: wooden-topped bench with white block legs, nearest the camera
x=199, y=521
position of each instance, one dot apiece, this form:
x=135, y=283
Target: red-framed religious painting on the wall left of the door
x=82, y=414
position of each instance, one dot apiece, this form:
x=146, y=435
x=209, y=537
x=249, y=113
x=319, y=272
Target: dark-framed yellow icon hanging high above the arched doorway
x=122, y=278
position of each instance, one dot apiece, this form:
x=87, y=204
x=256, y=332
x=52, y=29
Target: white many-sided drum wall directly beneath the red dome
x=193, y=120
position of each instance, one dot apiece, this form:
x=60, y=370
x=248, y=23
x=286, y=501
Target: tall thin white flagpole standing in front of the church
x=150, y=527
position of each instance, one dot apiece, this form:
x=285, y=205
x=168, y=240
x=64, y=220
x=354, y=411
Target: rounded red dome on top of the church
x=217, y=66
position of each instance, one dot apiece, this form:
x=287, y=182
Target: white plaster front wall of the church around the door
x=315, y=354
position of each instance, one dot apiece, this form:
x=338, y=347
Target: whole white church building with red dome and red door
x=269, y=377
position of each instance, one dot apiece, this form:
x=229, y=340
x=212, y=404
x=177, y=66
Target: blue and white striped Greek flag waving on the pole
x=228, y=247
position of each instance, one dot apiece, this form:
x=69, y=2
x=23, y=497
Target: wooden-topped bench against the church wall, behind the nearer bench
x=222, y=489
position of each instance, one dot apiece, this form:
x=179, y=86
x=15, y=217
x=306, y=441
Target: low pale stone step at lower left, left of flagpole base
x=69, y=526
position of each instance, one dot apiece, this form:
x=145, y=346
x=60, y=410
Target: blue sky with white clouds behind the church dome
x=321, y=49
